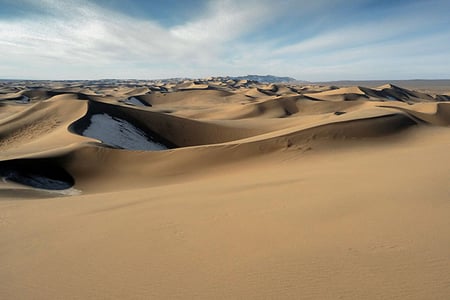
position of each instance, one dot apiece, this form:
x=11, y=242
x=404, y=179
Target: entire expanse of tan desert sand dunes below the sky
x=264, y=191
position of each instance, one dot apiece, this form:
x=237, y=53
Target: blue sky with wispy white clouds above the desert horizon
x=320, y=40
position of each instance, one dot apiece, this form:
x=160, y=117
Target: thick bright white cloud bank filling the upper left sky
x=78, y=32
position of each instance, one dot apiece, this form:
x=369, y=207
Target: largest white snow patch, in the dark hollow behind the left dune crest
x=120, y=133
